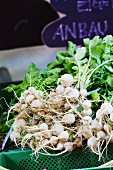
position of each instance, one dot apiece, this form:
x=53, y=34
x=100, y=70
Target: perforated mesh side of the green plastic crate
x=75, y=160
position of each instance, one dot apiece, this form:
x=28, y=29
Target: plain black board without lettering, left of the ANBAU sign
x=22, y=21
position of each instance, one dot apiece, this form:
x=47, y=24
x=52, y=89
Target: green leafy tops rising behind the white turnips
x=91, y=66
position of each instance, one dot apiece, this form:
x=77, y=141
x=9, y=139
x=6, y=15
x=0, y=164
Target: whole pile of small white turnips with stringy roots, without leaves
x=61, y=120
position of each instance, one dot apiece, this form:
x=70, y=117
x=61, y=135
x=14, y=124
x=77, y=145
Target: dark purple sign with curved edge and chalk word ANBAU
x=83, y=18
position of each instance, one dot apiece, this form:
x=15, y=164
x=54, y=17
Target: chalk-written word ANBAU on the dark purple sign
x=80, y=30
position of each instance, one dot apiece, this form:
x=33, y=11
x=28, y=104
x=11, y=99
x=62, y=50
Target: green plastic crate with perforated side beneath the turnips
x=78, y=159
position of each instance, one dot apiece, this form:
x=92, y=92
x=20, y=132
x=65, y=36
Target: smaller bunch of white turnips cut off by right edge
x=101, y=129
